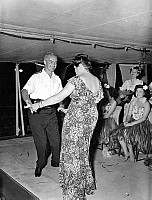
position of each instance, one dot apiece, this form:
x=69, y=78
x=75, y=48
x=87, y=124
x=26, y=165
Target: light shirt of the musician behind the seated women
x=128, y=85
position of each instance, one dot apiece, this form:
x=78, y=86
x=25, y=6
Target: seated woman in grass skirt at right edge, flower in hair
x=135, y=132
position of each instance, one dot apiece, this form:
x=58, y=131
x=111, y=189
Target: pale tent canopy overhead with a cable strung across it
x=113, y=31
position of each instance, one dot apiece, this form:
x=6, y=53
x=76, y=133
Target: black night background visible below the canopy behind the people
x=8, y=93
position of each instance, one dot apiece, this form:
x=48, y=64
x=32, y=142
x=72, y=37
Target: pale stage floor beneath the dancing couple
x=116, y=180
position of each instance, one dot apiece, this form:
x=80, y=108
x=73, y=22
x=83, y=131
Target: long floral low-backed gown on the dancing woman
x=75, y=174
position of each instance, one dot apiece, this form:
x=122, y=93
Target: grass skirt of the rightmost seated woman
x=139, y=135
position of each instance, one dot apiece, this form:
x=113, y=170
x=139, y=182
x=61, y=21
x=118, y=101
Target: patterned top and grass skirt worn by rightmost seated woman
x=139, y=135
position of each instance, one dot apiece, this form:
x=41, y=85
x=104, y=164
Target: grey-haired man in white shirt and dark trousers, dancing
x=44, y=123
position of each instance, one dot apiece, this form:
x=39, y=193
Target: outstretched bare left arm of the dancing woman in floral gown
x=66, y=91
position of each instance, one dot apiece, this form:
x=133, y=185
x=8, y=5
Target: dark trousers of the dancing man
x=45, y=131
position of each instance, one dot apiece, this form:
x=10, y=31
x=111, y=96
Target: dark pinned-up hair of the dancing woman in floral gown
x=82, y=58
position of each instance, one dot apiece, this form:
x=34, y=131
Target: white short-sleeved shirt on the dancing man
x=41, y=86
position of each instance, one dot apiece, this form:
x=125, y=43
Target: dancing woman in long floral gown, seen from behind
x=85, y=90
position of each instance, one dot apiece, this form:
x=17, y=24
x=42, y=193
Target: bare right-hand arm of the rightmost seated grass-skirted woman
x=144, y=117
